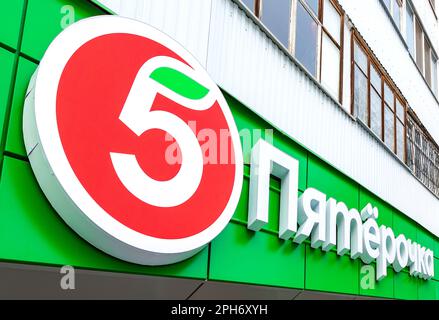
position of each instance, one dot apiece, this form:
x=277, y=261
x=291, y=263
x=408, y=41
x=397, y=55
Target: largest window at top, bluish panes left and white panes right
x=312, y=31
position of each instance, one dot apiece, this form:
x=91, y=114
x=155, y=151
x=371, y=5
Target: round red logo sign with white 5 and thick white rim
x=109, y=98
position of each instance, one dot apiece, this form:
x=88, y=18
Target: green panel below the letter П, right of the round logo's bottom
x=241, y=255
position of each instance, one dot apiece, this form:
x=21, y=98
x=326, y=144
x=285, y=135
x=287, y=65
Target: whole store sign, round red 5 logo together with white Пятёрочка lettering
x=108, y=102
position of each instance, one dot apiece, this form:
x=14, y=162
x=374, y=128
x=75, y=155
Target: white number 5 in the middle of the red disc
x=138, y=117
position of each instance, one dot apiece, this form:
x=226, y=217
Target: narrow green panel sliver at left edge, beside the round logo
x=6, y=65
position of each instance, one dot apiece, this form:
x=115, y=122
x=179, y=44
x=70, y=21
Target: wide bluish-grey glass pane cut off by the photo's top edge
x=276, y=16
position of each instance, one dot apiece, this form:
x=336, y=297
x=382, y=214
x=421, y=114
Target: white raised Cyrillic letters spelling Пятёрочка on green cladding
x=327, y=222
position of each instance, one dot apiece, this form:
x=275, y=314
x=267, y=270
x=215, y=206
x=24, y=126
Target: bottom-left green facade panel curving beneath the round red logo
x=32, y=232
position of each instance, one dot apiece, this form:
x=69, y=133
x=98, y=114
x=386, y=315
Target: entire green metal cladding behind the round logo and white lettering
x=32, y=232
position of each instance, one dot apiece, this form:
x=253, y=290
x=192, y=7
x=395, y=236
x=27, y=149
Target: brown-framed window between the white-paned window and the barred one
x=376, y=101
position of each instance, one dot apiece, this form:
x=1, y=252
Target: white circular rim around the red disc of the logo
x=46, y=86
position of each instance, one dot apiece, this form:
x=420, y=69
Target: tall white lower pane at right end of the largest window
x=330, y=66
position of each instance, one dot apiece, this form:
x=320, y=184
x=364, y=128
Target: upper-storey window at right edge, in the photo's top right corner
x=421, y=49
